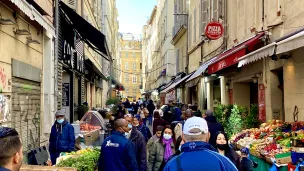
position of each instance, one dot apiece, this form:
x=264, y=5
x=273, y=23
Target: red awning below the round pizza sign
x=231, y=56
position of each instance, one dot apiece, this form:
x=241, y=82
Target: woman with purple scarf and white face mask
x=162, y=150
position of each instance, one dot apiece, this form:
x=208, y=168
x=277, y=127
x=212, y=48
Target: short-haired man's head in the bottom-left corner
x=11, y=156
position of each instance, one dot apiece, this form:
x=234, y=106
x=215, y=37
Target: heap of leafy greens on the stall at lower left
x=84, y=160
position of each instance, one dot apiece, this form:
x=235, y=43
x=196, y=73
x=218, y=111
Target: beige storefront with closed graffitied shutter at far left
x=26, y=46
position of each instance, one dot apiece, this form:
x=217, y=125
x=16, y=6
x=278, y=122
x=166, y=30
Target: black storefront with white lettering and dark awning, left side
x=79, y=77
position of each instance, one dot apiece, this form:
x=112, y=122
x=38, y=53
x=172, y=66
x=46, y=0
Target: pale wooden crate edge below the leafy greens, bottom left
x=45, y=168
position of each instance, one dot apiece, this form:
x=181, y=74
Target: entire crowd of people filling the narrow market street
x=145, y=137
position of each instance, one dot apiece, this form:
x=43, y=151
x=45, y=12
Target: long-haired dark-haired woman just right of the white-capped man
x=224, y=149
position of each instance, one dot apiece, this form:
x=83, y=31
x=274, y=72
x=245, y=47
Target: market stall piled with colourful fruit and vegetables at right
x=282, y=142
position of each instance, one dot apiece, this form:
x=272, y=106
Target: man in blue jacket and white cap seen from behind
x=197, y=154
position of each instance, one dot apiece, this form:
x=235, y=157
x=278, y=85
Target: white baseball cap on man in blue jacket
x=195, y=122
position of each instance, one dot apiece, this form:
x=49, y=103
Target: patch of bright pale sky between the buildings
x=133, y=14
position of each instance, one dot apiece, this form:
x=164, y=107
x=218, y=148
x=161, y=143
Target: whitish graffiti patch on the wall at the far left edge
x=4, y=108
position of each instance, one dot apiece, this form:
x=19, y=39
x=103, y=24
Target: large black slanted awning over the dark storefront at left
x=94, y=38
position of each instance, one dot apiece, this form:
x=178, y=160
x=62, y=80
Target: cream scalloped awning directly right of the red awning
x=261, y=53
